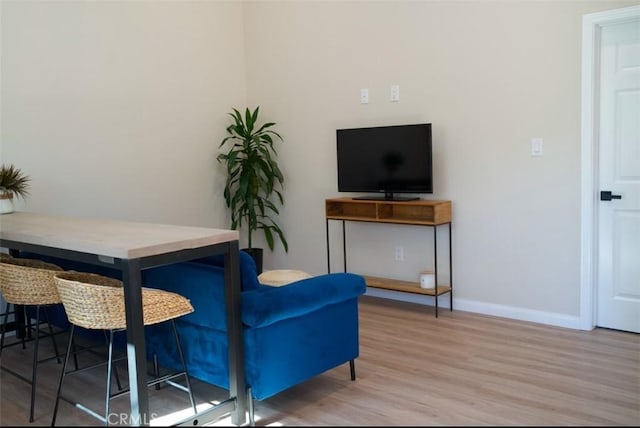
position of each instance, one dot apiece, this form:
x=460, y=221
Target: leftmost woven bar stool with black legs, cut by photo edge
x=26, y=283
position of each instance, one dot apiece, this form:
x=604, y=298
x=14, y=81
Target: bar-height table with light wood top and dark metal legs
x=132, y=247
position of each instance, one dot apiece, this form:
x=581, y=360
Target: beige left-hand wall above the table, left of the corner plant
x=116, y=109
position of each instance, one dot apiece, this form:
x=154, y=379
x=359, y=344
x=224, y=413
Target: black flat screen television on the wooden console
x=385, y=160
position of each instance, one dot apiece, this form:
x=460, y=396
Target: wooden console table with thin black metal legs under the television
x=432, y=213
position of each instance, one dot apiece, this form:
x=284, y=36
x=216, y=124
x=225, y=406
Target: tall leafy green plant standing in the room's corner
x=254, y=181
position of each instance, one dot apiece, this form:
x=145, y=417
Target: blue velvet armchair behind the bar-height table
x=291, y=333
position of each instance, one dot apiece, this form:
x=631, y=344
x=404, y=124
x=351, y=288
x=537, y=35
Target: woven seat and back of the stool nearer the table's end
x=97, y=302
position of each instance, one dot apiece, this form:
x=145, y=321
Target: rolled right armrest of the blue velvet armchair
x=268, y=305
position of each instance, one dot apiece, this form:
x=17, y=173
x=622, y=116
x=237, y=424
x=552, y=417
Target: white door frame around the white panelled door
x=591, y=26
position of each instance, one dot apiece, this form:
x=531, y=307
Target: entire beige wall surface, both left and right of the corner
x=104, y=104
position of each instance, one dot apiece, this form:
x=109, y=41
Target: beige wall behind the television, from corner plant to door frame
x=489, y=76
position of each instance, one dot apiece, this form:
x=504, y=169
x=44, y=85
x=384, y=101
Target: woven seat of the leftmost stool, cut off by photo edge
x=28, y=281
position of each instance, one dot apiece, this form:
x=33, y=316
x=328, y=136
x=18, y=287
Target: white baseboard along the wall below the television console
x=522, y=314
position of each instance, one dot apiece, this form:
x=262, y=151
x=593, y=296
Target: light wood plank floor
x=461, y=369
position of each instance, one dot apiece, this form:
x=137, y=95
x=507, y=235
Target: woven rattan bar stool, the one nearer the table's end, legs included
x=96, y=302
